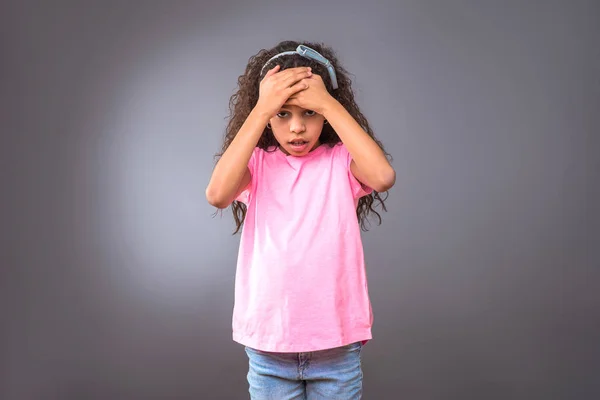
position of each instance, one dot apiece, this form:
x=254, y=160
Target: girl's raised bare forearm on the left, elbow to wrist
x=231, y=168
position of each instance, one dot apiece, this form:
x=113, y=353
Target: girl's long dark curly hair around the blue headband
x=244, y=100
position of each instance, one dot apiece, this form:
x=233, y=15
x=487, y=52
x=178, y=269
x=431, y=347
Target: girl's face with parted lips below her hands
x=297, y=130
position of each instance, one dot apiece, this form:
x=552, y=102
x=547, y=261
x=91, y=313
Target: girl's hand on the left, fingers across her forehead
x=277, y=87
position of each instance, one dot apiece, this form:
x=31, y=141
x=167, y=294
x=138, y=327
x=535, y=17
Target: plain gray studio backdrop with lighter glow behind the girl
x=117, y=280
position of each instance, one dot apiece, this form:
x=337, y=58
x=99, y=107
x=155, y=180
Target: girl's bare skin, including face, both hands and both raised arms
x=296, y=103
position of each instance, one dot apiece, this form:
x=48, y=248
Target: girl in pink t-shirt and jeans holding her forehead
x=301, y=169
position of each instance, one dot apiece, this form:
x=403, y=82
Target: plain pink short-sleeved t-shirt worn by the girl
x=301, y=283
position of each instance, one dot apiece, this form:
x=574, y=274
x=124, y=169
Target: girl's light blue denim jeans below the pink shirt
x=333, y=374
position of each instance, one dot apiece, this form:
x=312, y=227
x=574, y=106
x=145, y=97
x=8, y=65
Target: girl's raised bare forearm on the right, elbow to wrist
x=373, y=167
